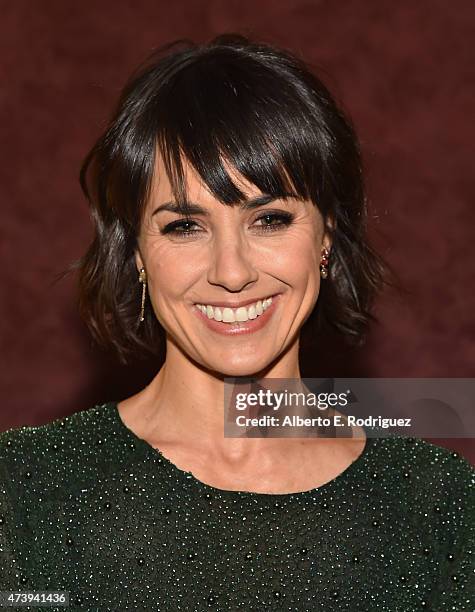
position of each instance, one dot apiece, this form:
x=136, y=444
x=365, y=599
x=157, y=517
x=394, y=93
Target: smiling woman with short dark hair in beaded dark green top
x=229, y=214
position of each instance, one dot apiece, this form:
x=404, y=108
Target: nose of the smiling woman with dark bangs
x=230, y=263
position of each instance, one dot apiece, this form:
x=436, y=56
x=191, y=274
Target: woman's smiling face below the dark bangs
x=230, y=260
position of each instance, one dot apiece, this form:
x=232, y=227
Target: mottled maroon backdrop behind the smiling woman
x=403, y=74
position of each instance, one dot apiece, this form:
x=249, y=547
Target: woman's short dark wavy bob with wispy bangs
x=261, y=109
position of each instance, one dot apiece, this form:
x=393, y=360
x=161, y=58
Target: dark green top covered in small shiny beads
x=88, y=507
